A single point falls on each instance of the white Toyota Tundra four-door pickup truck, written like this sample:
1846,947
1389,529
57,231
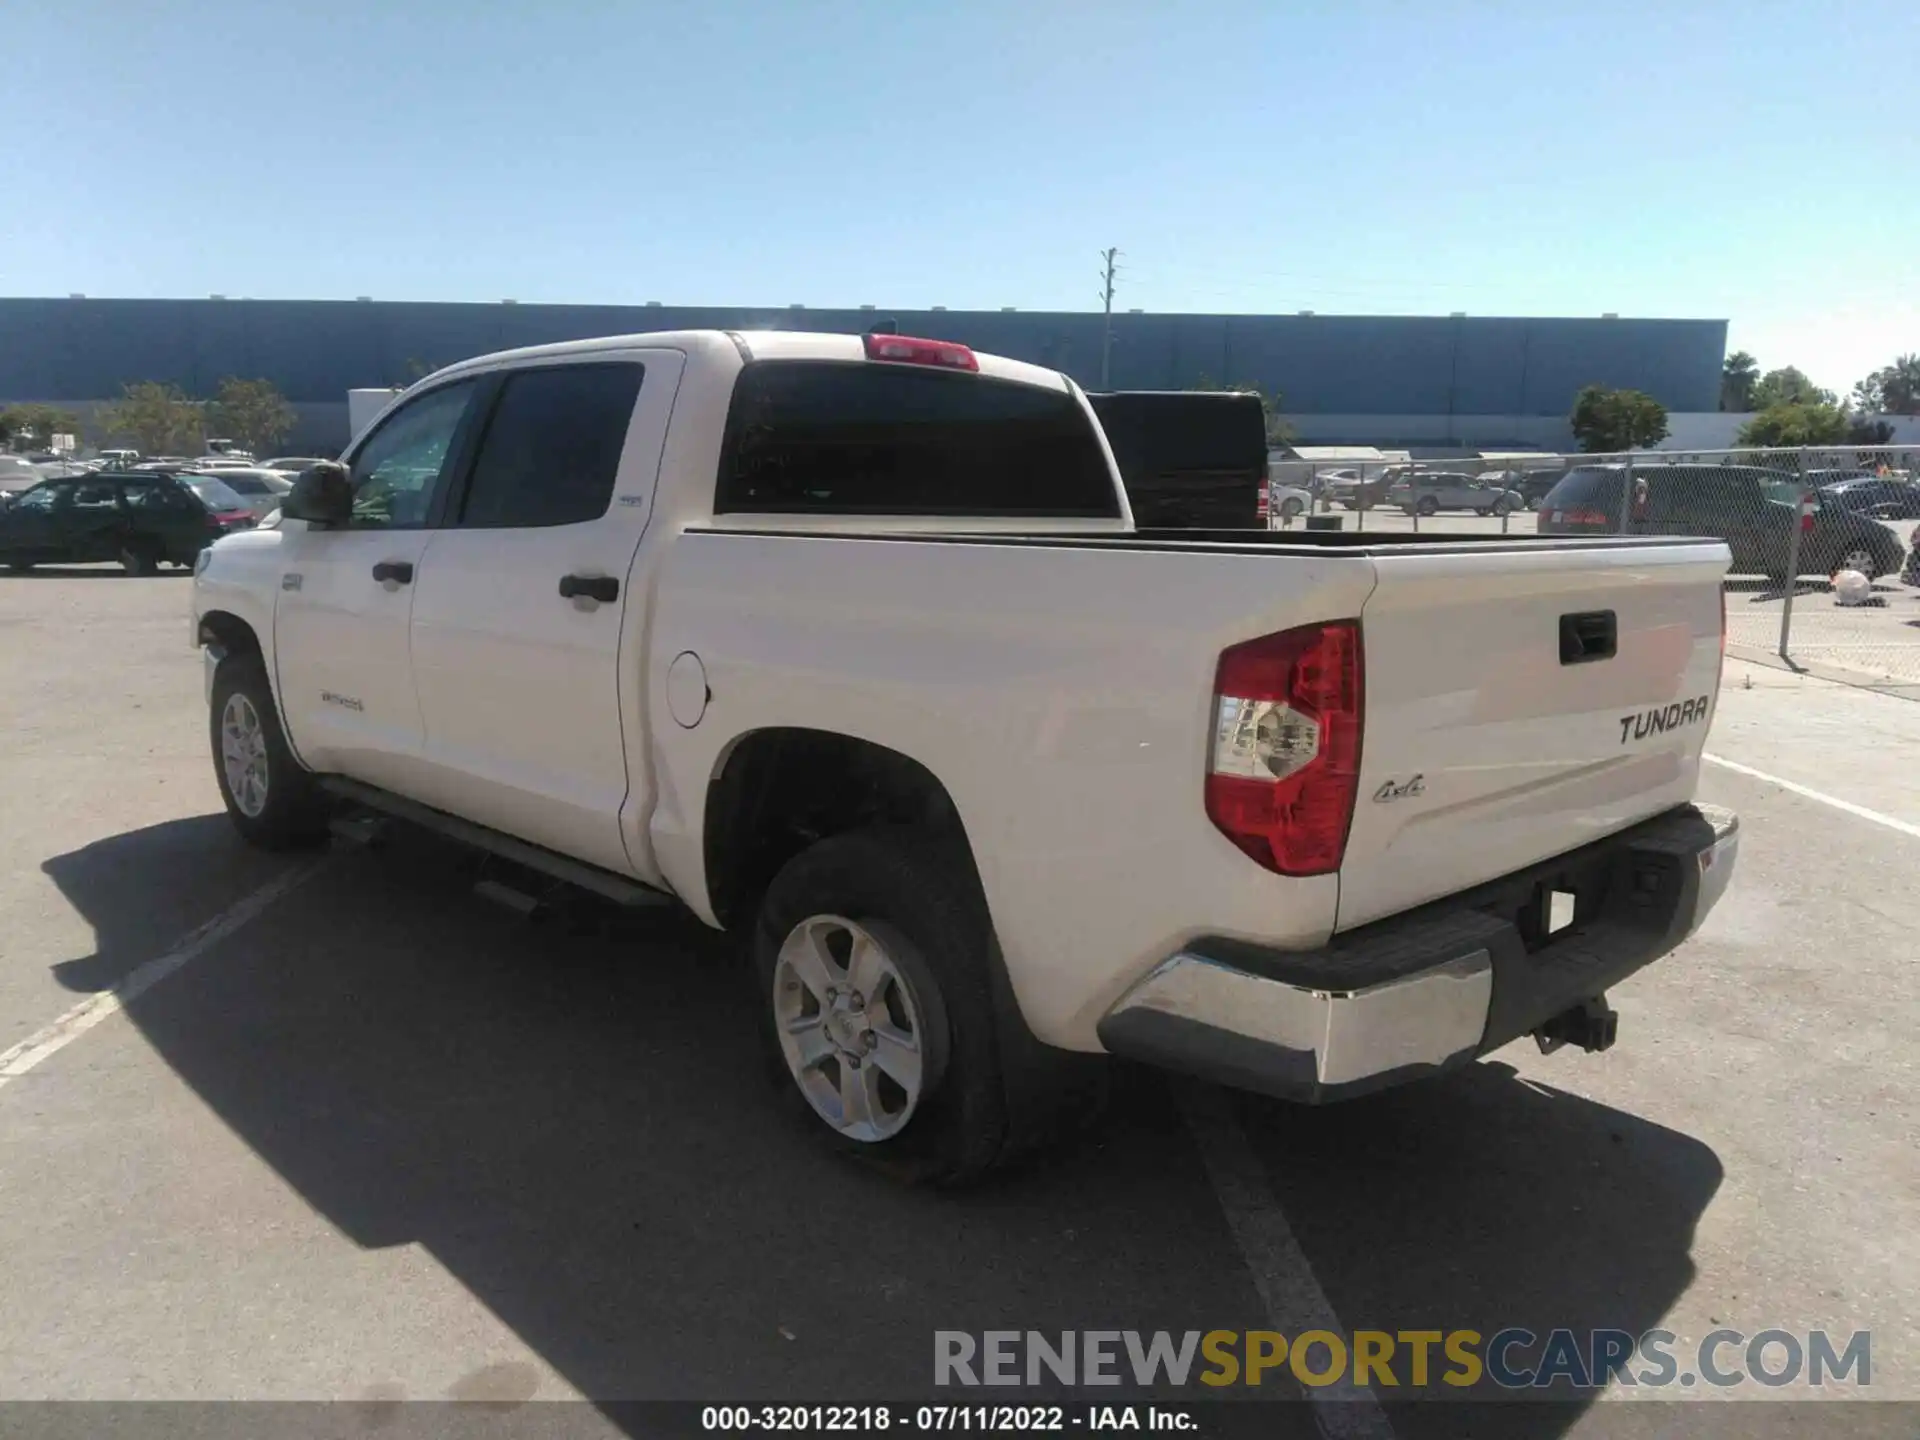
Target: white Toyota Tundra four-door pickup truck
850,644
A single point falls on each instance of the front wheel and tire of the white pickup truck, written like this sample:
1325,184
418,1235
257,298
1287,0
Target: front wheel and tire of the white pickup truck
270,798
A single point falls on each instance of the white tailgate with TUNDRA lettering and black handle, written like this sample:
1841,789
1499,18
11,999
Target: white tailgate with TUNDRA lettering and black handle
1524,704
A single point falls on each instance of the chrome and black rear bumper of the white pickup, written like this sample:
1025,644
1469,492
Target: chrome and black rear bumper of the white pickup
1431,990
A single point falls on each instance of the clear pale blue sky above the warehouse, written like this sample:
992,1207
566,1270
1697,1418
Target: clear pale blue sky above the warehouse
1704,160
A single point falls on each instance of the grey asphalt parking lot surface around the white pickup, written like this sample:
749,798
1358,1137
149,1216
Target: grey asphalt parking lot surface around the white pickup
373,1140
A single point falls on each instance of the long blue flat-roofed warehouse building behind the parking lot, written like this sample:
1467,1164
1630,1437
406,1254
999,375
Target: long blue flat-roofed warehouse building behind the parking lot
1345,379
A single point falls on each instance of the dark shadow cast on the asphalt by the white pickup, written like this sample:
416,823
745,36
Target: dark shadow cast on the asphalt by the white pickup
579,1128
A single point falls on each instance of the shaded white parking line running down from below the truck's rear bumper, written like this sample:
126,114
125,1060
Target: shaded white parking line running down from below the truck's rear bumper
1284,1278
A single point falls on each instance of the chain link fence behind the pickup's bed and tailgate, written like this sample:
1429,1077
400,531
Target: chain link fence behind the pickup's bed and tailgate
1823,539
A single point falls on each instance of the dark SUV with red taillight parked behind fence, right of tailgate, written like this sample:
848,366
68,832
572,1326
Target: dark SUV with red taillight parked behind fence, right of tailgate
1752,510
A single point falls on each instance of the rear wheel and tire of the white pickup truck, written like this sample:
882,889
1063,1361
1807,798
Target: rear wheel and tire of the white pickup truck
942,1118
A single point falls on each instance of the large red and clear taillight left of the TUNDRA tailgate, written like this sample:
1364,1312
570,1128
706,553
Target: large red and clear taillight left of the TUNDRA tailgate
1285,763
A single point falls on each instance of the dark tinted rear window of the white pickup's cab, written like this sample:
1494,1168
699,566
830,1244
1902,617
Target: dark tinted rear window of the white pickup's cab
819,437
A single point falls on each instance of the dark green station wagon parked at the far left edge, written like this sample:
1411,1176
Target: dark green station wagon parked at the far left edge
143,521
